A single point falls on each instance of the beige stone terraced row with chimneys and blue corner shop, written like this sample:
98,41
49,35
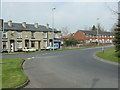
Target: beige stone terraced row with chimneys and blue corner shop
17,36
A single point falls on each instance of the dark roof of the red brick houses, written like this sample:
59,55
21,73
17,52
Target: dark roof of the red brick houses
95,32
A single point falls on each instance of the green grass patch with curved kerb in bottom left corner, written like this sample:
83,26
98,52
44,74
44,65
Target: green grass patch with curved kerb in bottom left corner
12,74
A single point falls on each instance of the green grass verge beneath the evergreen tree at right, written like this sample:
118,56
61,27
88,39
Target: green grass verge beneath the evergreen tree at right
108,55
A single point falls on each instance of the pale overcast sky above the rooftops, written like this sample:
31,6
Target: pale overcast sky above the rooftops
74,15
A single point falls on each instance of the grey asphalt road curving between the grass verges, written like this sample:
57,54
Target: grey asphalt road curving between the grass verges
69,69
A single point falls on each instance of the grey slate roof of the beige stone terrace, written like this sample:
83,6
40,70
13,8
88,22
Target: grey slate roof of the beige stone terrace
29,27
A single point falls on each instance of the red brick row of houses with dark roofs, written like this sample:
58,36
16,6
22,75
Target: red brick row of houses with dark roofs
85,36
